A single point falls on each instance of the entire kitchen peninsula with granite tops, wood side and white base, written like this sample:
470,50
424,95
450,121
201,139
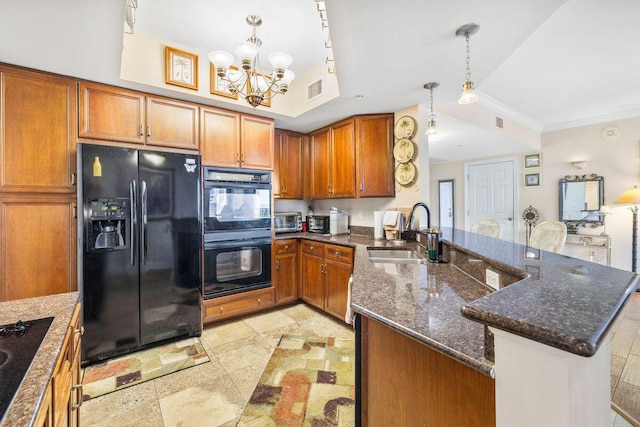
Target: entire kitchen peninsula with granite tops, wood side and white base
427,331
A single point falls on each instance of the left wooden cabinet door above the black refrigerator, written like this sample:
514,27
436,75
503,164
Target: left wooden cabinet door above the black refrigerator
112,114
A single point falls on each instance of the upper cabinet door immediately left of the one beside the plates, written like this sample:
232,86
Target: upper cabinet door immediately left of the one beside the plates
343,174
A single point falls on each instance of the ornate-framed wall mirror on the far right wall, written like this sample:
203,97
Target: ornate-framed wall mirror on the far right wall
580,198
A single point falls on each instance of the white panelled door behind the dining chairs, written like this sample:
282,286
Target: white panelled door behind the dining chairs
491,192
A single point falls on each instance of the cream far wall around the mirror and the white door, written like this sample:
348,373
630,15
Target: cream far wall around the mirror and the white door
616,160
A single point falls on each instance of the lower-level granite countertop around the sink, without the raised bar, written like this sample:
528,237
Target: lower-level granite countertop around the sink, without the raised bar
422,301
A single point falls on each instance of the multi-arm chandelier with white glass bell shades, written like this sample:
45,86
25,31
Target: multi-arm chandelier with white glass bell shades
250,82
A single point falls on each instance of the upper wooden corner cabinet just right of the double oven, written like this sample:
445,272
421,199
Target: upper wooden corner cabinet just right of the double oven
287,172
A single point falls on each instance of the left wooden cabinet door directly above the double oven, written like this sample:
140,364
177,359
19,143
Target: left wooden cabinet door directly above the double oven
220,137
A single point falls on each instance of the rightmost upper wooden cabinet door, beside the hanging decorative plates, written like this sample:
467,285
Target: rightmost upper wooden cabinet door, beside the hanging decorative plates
374,156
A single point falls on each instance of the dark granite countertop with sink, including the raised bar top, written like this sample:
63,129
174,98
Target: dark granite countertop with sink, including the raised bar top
556,300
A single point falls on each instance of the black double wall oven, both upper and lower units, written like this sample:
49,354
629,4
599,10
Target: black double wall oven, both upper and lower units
237,230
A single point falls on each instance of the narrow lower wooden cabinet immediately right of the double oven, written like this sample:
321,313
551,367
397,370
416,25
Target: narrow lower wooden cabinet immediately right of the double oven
285,272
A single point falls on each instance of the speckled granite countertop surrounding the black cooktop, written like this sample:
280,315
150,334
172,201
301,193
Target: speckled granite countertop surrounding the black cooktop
23,408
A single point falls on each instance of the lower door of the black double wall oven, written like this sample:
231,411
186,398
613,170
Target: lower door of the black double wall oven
236,266
